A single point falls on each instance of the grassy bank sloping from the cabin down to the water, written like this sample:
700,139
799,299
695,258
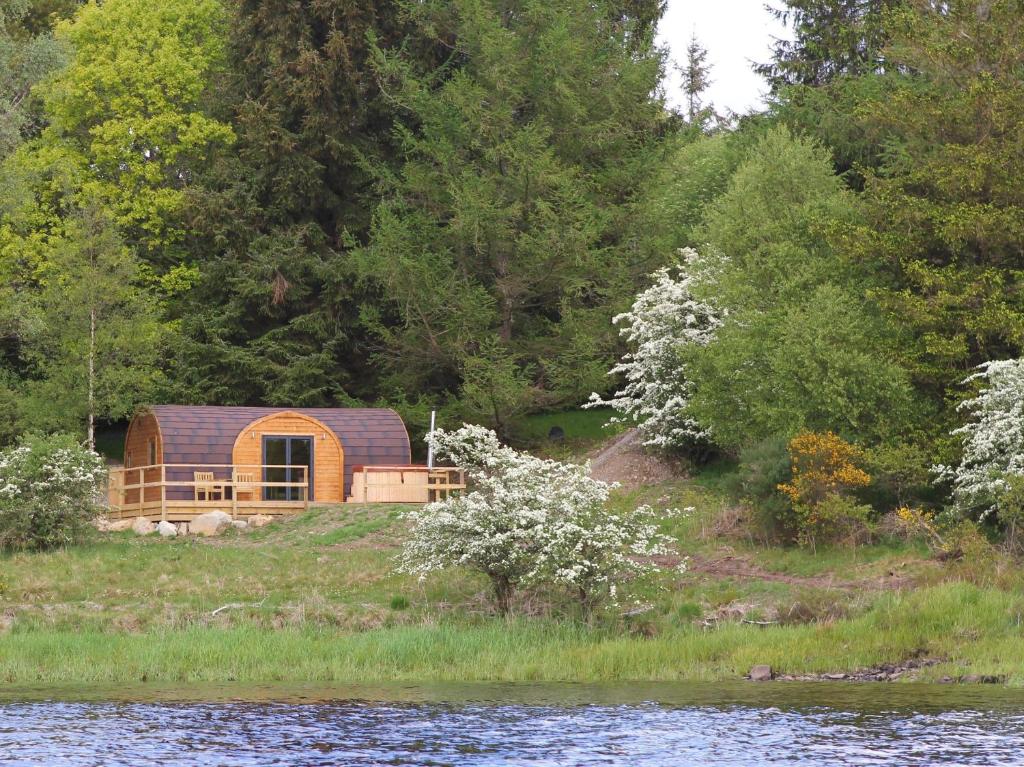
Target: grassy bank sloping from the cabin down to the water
316,599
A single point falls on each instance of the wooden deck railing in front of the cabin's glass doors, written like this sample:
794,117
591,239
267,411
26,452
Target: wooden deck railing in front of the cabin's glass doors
165,489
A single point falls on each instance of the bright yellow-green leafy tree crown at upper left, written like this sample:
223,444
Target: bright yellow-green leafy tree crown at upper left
126,122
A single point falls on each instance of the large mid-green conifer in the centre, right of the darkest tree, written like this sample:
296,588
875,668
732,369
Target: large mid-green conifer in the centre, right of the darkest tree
503,235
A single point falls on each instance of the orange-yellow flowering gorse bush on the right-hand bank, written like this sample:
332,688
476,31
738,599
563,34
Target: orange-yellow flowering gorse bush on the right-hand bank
823,465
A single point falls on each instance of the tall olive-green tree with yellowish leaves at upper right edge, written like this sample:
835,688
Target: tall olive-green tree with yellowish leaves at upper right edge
944,208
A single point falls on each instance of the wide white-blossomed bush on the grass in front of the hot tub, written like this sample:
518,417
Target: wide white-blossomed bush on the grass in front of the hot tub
528,522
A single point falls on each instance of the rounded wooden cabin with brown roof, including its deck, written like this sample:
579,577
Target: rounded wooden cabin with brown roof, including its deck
182,461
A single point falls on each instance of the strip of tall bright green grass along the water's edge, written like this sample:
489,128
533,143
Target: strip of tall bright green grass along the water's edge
973,630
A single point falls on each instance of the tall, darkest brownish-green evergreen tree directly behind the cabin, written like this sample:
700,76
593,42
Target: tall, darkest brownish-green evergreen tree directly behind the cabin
276,315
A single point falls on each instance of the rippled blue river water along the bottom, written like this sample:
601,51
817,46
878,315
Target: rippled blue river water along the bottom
634,726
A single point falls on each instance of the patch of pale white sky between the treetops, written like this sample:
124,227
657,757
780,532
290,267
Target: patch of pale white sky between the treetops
736,33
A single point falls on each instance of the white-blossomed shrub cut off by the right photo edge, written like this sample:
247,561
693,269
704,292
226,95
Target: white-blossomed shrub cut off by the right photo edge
993,440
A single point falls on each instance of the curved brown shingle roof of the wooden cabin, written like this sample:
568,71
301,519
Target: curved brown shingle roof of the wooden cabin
206,434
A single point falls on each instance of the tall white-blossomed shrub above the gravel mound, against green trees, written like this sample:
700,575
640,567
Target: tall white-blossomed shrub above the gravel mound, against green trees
663,321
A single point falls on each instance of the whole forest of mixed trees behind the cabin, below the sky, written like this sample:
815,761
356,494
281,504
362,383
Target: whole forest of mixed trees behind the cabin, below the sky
447,204
